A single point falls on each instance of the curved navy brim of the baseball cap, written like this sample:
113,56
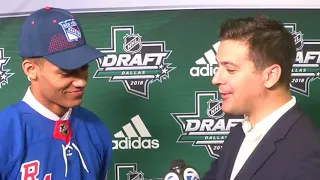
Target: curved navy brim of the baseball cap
74,58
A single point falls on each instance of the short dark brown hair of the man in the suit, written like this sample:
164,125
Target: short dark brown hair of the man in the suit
268,40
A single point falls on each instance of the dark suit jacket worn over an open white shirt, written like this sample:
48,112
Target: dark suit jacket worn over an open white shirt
289,151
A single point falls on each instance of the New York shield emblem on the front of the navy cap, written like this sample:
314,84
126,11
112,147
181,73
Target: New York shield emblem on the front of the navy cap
71,30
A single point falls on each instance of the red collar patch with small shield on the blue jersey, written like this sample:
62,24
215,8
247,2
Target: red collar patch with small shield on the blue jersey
62,131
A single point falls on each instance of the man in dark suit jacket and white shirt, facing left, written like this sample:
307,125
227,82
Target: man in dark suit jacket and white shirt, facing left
276,141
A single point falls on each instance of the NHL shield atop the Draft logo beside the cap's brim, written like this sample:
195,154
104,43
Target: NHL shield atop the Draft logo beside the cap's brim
132,43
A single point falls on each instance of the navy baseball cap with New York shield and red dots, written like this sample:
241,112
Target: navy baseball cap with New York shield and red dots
56,35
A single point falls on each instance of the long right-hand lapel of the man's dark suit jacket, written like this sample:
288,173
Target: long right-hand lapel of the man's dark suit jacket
267,146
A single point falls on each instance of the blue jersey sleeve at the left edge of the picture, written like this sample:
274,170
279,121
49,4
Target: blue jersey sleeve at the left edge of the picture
11,142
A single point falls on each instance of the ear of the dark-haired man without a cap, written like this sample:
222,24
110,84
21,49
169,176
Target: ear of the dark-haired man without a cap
272,75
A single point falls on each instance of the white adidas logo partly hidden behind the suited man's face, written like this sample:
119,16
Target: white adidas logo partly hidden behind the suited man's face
206,66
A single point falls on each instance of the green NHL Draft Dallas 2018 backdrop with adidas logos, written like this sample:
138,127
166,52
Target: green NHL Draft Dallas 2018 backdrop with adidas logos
153,88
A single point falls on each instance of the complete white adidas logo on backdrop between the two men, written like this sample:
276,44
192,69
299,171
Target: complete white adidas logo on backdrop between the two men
131,139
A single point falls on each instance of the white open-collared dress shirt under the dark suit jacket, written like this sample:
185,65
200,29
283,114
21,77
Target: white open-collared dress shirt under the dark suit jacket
253,136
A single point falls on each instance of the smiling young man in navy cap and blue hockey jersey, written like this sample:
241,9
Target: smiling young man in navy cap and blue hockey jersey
47,135
